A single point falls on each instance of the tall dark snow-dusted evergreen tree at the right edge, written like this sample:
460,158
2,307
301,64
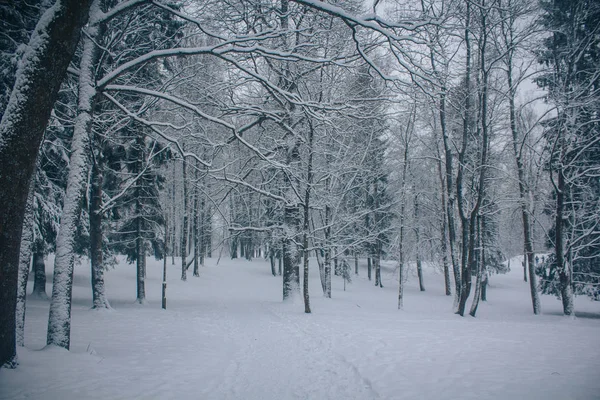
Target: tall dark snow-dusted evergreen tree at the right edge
572,80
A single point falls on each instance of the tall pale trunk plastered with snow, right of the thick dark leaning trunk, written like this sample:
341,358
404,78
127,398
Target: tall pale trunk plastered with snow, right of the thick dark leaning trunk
59,320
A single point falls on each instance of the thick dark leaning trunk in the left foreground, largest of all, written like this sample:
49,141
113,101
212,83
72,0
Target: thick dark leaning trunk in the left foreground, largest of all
43,68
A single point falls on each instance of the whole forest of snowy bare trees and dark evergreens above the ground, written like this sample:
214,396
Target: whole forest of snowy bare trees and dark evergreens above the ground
446,134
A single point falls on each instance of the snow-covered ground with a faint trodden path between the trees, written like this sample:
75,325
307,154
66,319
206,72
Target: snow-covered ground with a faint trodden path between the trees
227,335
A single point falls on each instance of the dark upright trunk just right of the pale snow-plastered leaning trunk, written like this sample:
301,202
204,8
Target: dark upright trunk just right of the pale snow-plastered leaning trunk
99,300
